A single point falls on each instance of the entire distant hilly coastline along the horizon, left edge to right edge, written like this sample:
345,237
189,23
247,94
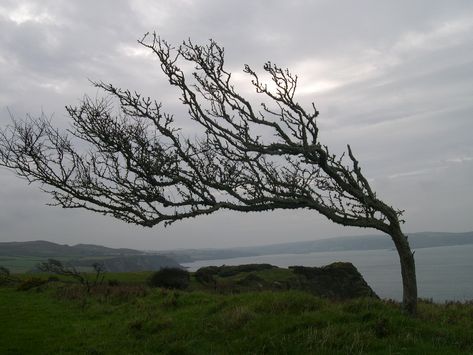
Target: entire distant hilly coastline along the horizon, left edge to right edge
135,260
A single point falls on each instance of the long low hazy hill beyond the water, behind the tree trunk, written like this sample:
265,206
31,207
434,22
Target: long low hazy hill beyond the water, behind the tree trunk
366,242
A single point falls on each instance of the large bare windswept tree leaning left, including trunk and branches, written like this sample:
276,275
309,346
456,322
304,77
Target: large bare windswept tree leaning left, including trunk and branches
136,165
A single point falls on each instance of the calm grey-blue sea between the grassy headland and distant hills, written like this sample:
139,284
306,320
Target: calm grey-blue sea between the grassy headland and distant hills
443,273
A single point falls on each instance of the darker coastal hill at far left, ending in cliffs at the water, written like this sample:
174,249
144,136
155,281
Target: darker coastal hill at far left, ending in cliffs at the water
24,256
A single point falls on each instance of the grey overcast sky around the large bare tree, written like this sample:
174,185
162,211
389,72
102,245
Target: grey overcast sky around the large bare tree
392,78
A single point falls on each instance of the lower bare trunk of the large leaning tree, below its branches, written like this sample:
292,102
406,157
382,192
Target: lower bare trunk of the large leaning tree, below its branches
408,271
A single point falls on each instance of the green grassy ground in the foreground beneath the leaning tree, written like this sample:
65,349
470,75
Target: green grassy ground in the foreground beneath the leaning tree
131,318
